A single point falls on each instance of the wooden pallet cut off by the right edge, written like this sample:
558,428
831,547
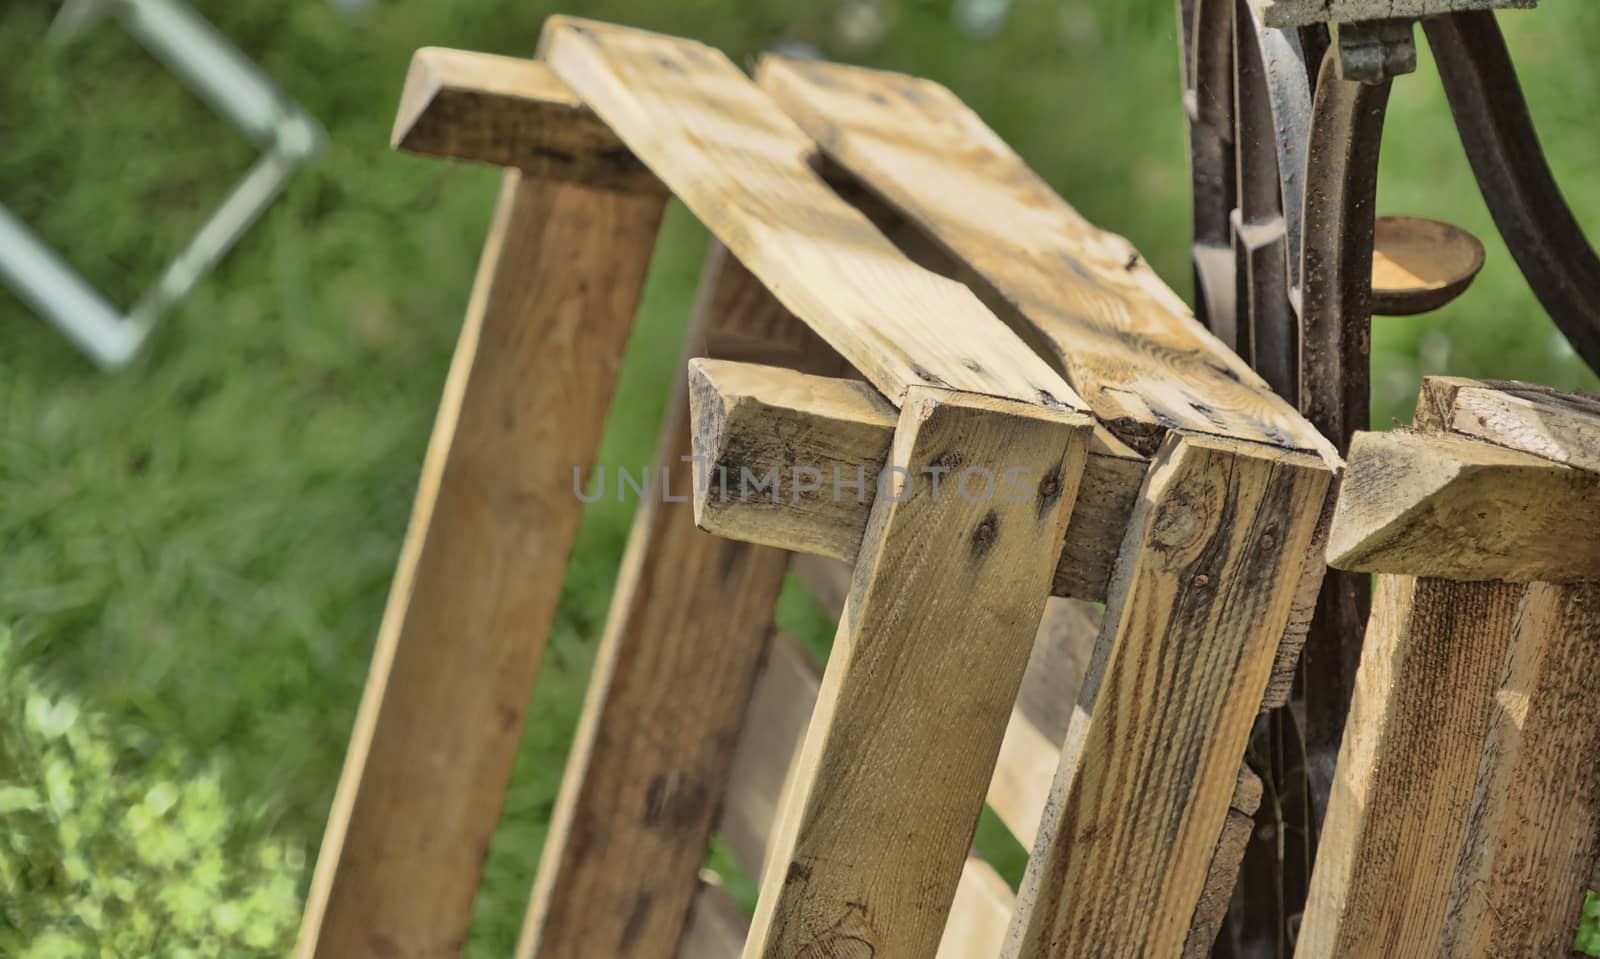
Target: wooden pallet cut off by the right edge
1466,811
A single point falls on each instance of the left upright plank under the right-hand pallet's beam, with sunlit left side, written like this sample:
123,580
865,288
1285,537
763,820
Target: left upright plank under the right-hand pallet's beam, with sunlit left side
1434,657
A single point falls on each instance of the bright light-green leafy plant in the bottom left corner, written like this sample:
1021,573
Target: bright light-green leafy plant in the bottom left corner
114,846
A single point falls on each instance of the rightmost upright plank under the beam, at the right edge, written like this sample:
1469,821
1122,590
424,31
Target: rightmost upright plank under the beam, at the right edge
1534,829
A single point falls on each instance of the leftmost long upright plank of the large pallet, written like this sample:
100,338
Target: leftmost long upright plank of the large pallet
481,572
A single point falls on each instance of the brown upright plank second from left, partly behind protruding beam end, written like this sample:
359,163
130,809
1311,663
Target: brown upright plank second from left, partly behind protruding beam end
671,684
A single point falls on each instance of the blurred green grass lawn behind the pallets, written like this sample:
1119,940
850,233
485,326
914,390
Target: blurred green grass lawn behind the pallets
198,550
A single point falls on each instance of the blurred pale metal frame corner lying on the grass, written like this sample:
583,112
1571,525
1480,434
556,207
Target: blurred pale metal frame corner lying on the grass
242,94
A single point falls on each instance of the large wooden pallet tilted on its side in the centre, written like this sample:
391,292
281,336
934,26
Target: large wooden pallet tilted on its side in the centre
865,223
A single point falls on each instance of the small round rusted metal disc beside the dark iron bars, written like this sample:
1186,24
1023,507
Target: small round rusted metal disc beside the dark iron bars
1422,265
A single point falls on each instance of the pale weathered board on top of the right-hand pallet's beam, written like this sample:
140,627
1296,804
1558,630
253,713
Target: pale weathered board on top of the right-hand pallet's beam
1538,420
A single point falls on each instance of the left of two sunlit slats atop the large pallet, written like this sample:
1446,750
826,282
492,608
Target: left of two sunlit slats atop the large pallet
735,161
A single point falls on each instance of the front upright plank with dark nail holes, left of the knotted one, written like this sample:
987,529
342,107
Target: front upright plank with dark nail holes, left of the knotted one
942,616
